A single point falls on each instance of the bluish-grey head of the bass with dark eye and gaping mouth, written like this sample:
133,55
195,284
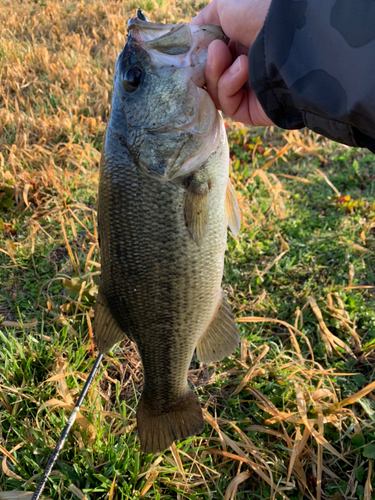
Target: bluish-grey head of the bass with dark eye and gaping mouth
171,123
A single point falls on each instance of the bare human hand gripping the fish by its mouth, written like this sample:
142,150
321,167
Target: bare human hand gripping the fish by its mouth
227,66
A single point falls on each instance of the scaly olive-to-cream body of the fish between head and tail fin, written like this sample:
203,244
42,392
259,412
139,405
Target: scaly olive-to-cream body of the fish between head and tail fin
168,285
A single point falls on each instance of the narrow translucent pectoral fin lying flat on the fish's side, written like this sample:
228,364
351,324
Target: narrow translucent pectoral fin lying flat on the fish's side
196,210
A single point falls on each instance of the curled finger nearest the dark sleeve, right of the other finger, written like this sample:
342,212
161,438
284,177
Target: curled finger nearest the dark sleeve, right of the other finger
232,97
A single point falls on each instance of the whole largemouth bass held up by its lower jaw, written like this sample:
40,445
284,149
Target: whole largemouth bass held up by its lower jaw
165,202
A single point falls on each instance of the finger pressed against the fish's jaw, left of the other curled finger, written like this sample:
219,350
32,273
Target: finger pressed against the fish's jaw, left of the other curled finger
219,59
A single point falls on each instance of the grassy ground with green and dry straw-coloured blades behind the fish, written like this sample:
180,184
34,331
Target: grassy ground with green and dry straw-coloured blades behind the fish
292,414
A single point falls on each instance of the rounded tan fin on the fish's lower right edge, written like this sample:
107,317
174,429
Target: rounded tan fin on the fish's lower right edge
221,337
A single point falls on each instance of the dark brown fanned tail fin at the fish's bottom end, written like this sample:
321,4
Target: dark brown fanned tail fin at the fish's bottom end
159,429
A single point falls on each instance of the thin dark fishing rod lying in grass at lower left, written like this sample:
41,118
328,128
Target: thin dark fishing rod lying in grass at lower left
60,443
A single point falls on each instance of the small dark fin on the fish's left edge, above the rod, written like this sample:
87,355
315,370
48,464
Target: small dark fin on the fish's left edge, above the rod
107,331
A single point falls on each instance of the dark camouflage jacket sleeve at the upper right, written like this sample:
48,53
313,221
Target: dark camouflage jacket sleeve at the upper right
313,65
